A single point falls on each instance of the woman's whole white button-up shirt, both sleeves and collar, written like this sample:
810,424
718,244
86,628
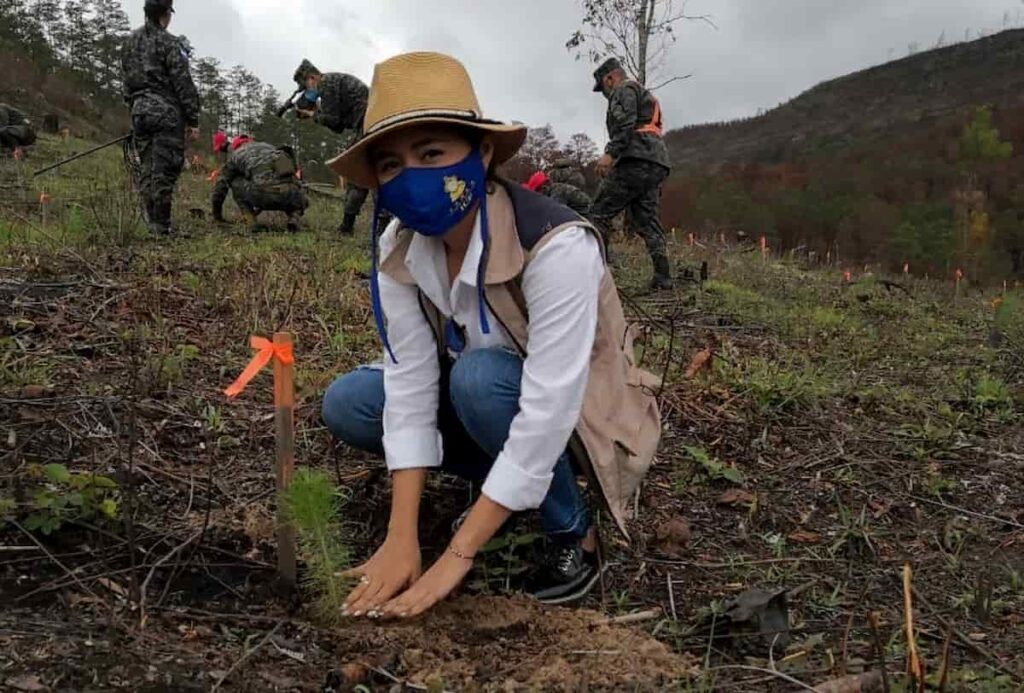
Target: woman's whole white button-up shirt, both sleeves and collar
561,286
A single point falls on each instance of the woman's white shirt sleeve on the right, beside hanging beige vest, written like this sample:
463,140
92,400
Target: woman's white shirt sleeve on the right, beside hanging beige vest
562,286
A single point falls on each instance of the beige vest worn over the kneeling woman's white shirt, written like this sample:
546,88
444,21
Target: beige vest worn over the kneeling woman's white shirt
620,425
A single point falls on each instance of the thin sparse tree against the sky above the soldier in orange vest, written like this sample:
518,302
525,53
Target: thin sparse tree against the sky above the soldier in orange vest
639,32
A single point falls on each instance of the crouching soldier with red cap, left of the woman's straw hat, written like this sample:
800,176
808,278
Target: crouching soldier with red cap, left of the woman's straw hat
263,179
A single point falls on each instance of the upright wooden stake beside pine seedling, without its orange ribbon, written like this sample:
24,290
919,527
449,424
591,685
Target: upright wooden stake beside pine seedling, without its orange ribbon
284,402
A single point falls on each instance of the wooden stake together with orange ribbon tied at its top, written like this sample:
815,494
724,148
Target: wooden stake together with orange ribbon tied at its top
281,353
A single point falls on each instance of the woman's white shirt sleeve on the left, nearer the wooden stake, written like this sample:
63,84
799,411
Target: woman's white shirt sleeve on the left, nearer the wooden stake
412,386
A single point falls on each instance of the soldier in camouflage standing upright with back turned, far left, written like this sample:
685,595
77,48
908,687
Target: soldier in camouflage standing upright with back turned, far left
164,103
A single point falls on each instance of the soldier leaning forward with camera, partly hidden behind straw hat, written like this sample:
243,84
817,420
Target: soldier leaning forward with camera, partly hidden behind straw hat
342,108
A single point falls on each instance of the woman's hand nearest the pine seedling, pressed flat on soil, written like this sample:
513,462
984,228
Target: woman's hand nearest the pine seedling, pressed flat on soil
396,566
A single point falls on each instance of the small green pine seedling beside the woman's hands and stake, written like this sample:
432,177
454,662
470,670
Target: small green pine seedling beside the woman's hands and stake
313,505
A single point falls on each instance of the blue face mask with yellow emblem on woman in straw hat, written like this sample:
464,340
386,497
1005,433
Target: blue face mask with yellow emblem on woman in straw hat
433,201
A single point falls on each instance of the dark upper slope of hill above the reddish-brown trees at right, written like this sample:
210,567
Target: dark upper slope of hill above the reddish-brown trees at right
886,101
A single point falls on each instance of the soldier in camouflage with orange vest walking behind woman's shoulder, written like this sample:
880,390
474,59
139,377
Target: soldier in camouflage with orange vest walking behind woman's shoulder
634,166
